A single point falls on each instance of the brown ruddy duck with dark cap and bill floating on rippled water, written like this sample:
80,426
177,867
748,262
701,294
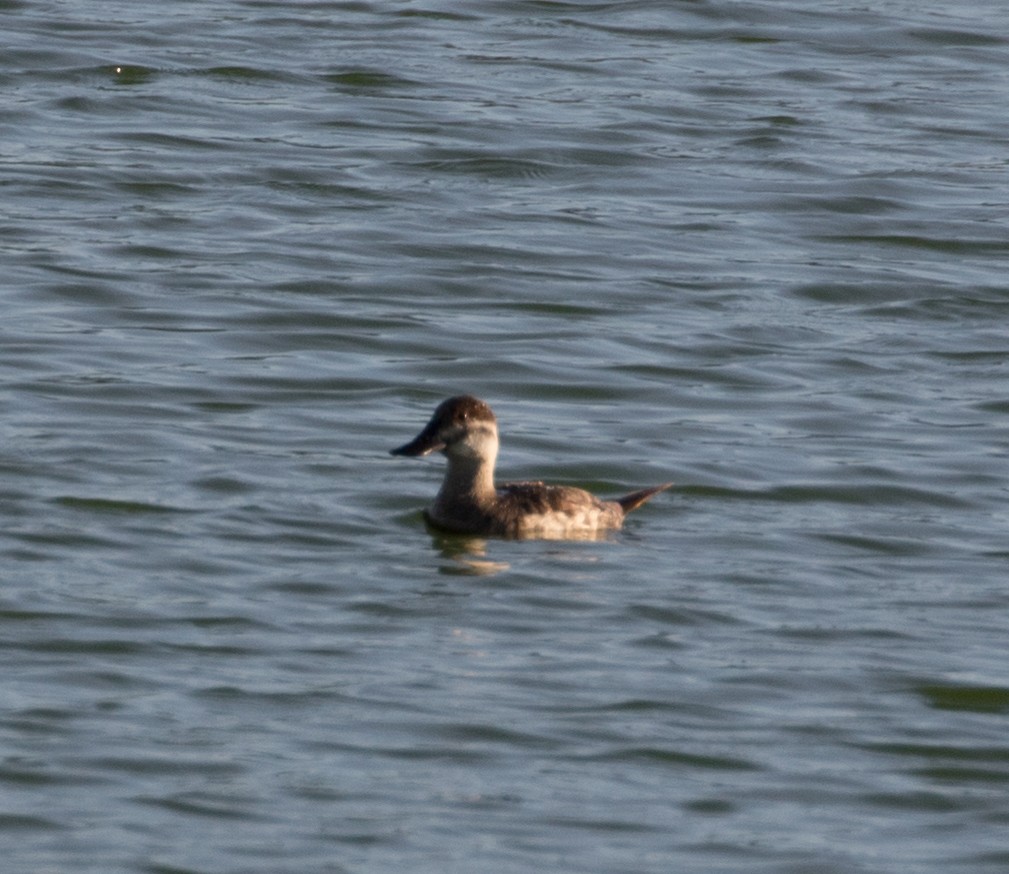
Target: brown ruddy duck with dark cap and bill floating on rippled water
466,431
